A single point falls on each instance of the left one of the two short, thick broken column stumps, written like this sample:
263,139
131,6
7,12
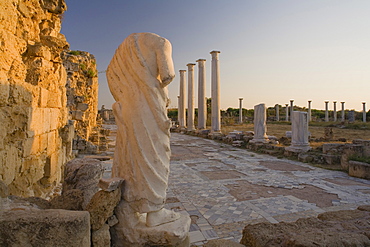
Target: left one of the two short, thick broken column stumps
259,124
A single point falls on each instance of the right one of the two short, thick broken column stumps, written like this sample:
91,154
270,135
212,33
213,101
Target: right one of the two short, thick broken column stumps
299,132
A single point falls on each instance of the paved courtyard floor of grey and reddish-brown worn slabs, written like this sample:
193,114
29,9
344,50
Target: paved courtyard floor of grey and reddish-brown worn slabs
224,188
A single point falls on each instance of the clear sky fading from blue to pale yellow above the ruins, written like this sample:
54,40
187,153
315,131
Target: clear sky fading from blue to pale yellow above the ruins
271,51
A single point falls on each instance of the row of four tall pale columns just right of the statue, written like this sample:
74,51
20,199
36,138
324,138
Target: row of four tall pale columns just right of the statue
202,107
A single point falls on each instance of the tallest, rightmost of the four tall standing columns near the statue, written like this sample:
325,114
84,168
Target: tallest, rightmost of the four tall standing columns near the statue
215,88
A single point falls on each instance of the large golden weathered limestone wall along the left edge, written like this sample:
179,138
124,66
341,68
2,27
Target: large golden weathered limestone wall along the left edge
34,138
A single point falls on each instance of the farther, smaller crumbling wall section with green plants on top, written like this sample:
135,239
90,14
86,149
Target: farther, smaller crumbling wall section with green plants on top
82,90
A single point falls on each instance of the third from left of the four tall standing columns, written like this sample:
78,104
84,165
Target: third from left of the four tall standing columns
202,104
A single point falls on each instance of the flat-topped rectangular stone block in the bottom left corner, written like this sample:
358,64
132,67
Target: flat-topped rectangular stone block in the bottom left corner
51,227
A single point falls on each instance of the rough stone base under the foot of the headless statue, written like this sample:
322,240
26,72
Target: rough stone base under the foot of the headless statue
133,231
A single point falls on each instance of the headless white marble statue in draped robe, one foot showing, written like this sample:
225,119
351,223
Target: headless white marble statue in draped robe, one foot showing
138,75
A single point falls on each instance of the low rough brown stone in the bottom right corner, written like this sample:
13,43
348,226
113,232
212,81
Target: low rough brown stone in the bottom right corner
340,228
